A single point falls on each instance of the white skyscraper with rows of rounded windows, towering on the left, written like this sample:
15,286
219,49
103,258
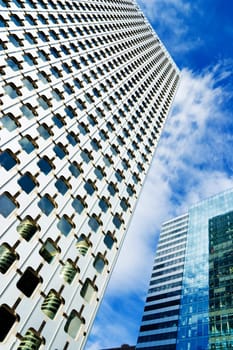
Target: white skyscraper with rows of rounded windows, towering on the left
85,90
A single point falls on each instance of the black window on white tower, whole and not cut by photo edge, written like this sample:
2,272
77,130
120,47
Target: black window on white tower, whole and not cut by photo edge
28,282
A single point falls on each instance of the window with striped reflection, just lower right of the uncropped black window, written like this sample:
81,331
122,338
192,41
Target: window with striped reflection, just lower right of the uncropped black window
51,304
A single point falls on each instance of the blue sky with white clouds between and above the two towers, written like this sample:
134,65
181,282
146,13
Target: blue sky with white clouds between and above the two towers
193,160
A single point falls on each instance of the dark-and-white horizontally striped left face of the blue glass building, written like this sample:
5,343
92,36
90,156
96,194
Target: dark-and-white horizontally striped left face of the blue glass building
161,312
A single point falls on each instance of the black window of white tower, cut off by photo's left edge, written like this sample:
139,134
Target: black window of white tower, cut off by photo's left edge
8,318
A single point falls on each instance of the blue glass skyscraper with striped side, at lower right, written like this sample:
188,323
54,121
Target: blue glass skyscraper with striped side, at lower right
189,303
